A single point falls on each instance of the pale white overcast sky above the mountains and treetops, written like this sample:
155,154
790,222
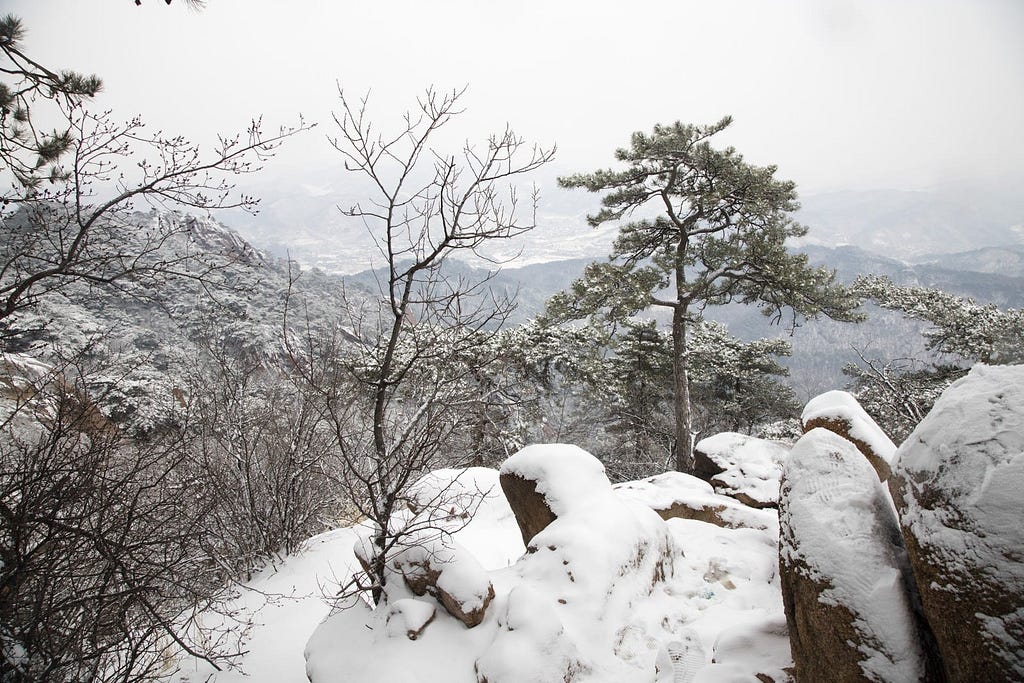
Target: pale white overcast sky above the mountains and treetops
839,95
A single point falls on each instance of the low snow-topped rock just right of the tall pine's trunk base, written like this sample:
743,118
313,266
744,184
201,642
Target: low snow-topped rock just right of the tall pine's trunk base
745,467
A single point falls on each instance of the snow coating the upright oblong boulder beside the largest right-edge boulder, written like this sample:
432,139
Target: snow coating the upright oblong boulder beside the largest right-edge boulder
838,523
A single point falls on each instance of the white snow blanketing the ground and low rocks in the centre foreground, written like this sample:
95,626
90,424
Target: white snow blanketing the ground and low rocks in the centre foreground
608,590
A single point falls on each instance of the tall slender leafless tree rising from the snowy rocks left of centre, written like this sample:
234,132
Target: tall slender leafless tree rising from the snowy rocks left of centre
400,395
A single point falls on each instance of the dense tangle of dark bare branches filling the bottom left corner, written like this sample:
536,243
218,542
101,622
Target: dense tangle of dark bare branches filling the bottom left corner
103,574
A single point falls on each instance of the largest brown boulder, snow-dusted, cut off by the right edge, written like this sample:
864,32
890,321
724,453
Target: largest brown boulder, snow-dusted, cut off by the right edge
958,483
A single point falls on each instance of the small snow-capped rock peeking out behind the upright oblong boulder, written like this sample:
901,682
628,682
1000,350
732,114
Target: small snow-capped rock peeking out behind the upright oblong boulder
840,413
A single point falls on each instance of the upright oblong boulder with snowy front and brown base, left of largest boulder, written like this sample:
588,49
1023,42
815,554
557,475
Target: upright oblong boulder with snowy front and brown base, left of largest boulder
844,573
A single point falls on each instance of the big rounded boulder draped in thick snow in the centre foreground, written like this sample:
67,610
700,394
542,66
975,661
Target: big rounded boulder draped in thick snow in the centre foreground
588,581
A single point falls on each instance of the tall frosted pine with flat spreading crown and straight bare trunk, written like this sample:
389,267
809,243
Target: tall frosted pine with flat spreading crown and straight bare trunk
700,227
